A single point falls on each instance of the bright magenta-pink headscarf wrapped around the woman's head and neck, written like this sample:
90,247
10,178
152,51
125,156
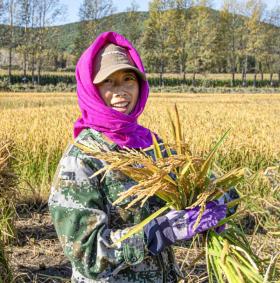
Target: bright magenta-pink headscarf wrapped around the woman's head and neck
121,128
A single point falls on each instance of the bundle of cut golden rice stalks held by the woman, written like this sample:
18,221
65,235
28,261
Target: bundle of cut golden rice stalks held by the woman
185,181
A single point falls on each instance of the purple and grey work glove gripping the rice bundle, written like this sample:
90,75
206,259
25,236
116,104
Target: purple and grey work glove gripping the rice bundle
178,225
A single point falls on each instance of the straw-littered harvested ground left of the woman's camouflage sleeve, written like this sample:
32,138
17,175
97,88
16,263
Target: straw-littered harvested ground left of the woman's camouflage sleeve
36,255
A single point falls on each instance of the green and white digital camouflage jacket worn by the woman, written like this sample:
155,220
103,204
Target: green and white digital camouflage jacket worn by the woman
87,223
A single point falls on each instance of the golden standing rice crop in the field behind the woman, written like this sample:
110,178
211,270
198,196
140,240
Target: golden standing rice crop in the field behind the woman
41,126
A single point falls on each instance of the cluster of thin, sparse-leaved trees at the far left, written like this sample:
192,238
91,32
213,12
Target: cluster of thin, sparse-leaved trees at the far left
25,33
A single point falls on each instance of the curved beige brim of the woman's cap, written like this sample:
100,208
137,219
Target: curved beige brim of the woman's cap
105,73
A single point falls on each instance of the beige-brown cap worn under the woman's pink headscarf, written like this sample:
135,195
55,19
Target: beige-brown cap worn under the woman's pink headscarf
110,59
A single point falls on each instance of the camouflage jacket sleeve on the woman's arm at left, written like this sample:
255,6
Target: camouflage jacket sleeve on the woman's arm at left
80,216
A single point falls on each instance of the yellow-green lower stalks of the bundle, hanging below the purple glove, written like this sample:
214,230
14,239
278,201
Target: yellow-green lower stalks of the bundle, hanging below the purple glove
230,259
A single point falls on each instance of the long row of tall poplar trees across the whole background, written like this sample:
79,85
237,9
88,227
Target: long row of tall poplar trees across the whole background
178,36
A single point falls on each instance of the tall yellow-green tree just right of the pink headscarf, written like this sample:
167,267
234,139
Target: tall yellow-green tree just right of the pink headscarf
154,41
